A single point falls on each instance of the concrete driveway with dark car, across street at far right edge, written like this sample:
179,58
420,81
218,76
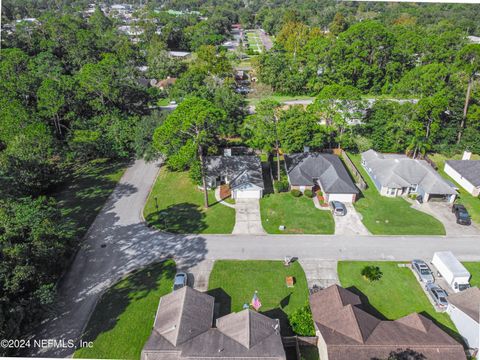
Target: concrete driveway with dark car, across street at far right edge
443,212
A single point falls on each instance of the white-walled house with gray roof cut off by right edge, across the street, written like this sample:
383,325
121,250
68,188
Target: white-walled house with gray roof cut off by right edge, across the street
466,173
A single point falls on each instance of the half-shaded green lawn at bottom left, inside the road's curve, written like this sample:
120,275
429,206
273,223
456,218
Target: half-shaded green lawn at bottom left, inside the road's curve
122,320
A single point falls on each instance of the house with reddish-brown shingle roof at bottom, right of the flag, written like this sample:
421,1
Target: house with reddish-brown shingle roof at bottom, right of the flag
345,331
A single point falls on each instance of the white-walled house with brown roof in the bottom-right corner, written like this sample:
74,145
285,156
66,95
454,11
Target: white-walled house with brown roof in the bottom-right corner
464,310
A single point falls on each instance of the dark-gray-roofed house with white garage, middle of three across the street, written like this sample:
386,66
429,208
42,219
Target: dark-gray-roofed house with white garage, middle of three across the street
326,171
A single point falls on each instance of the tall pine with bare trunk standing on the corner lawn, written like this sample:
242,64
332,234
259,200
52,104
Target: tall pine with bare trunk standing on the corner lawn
186,134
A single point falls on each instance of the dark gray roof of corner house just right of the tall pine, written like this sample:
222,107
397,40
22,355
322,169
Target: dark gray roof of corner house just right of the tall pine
241,169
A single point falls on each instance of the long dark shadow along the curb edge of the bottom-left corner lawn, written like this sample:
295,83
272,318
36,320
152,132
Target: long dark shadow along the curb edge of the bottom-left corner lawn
115,301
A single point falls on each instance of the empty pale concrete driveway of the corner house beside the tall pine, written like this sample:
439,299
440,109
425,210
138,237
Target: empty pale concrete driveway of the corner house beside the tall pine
247,217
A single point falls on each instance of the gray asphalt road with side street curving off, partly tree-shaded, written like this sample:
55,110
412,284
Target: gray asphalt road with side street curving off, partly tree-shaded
119,242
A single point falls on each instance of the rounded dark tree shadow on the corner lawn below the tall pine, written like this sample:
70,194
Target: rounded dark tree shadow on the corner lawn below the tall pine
183,218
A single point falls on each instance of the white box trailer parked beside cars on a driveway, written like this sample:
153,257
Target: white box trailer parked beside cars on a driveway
451,270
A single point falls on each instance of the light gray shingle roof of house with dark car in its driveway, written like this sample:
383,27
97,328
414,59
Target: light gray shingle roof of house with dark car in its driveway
397,171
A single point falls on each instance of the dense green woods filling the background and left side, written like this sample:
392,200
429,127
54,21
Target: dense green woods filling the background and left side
392,77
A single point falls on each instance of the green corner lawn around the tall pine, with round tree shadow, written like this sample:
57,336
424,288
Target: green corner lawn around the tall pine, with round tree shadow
180,207
